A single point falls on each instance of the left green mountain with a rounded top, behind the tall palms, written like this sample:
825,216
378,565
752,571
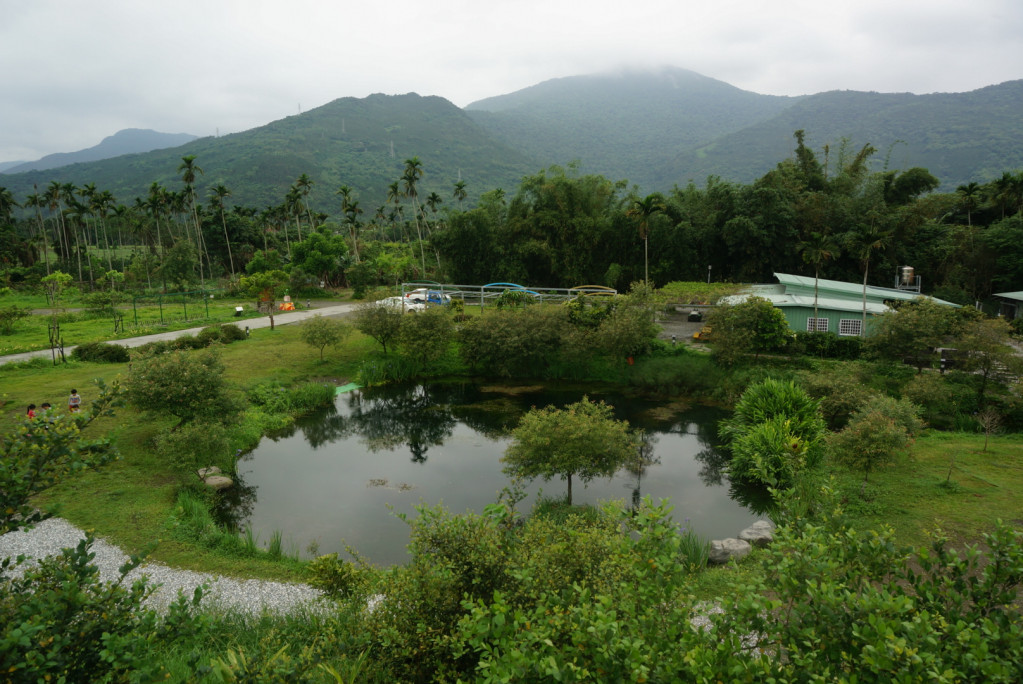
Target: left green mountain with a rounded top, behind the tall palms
361,143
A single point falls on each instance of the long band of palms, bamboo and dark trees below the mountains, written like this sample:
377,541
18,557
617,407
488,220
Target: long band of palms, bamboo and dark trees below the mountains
826,213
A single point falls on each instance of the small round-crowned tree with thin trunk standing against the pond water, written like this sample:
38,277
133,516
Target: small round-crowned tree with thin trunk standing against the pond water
583,440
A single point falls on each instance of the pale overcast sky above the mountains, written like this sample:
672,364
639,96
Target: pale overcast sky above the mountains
75,71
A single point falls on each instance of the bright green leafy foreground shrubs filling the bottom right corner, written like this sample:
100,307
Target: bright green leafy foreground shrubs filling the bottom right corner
826,603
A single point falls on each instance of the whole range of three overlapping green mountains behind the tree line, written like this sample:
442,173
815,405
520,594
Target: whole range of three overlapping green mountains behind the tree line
655,129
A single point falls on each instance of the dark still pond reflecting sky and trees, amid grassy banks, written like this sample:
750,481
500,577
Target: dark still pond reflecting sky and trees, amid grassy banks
340,476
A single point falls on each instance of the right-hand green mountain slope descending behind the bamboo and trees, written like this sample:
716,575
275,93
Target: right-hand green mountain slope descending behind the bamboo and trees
959,138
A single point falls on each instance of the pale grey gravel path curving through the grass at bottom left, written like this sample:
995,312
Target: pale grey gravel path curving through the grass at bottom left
252,597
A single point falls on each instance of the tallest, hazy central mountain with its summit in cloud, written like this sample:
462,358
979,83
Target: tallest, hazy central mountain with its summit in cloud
629,125
